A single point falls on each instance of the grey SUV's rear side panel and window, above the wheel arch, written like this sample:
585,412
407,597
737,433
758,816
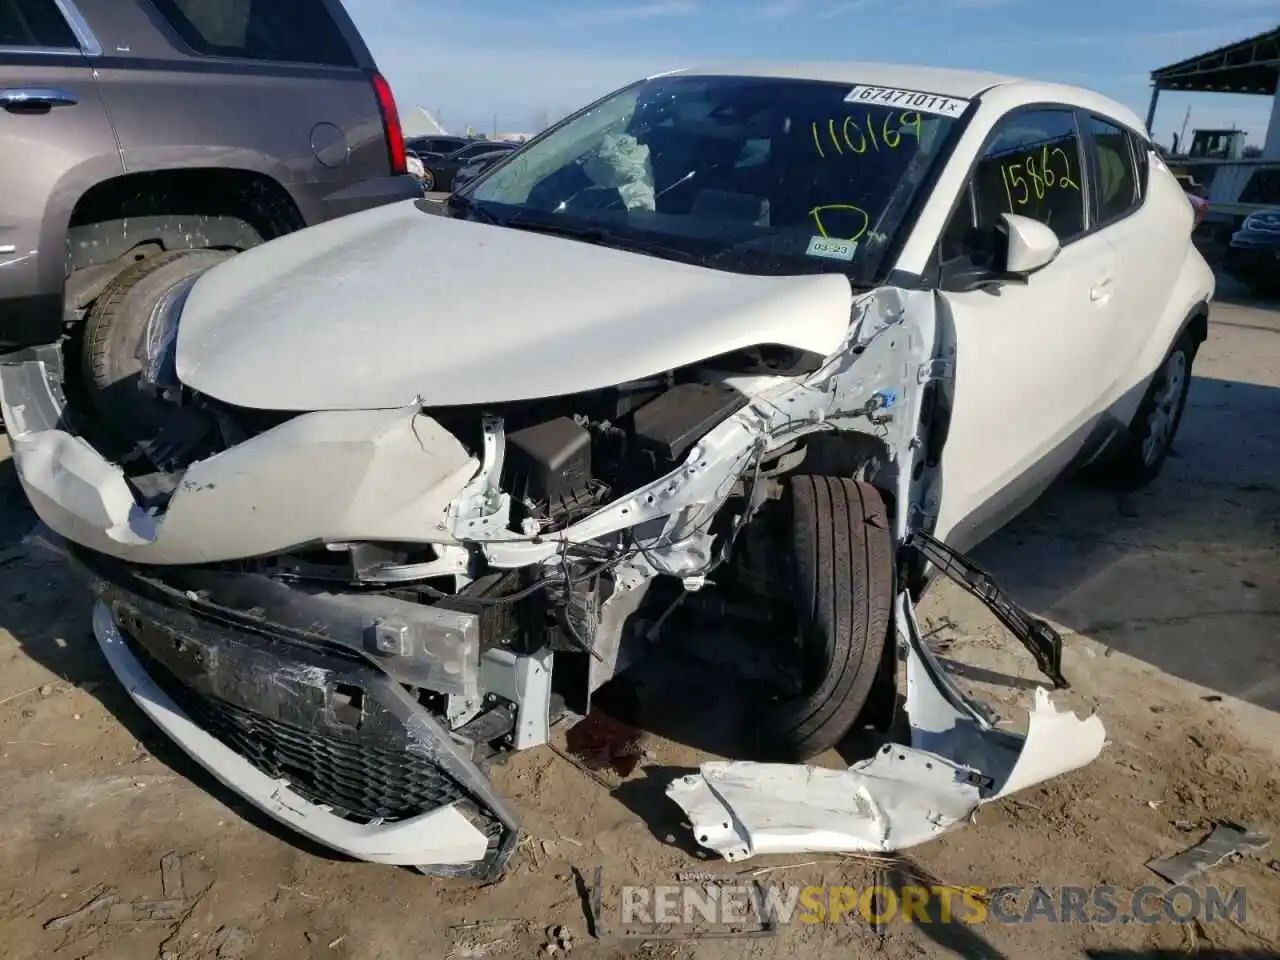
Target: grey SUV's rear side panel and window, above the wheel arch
282,88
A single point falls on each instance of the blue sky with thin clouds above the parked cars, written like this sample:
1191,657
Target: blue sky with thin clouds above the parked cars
531,60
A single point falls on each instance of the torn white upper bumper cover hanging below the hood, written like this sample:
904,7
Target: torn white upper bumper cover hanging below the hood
388,476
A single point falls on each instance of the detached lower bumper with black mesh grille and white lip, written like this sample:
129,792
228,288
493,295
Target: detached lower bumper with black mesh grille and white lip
321,740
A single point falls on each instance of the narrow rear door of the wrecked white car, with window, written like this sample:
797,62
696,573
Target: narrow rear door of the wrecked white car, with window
1149,241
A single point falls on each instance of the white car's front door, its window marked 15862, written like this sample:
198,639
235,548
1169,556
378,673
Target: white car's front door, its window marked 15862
1032,359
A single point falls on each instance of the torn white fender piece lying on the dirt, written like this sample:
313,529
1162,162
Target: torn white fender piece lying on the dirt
900,798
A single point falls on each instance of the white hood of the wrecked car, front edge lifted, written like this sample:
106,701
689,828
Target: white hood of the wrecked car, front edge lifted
395,307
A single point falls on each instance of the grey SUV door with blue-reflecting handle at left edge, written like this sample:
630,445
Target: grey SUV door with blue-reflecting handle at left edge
56,140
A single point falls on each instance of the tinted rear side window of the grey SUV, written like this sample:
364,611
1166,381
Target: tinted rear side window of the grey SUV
284,31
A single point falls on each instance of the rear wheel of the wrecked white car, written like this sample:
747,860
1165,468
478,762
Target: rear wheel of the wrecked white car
1151,435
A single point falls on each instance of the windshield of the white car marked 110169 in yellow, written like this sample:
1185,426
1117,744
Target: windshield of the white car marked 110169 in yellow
748,175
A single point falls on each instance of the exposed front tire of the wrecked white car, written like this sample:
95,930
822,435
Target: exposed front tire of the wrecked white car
842,552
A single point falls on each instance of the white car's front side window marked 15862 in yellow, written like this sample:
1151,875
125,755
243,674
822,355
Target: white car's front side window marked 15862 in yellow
1032,168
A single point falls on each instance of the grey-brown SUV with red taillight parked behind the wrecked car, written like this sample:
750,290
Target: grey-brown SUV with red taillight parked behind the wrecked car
144,141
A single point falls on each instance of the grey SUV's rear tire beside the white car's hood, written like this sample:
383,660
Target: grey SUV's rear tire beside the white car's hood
115,331
